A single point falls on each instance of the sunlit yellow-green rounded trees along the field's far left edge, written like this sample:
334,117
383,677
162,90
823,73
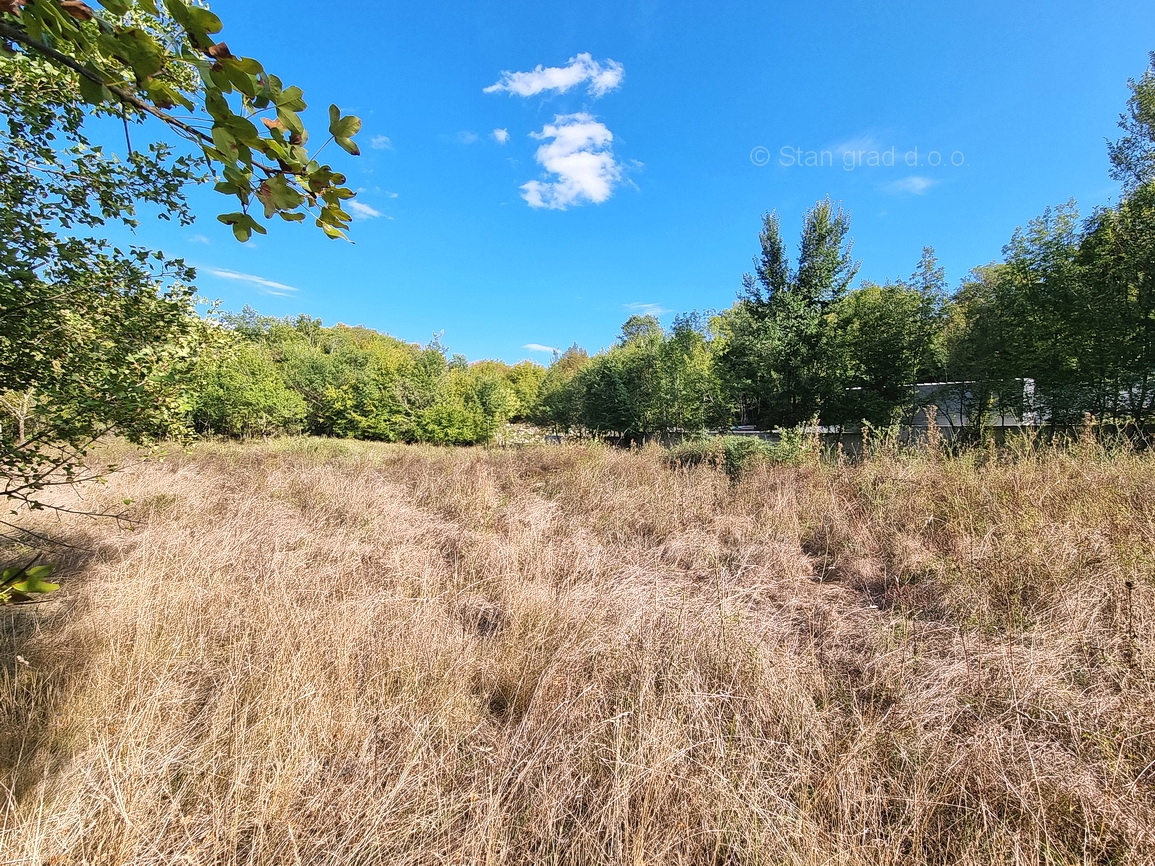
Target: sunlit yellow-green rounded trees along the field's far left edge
289,376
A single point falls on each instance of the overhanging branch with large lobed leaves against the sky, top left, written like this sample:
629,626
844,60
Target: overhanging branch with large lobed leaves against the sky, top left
141,58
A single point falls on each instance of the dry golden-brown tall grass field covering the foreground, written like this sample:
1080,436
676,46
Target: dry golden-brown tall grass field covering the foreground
330,653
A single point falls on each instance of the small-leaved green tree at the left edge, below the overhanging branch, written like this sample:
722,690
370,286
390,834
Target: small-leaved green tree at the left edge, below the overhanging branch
92,338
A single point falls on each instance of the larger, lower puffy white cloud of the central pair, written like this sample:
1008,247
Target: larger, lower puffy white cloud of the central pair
578,151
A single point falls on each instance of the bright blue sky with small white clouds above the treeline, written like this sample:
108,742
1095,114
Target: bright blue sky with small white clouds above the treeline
632,170
